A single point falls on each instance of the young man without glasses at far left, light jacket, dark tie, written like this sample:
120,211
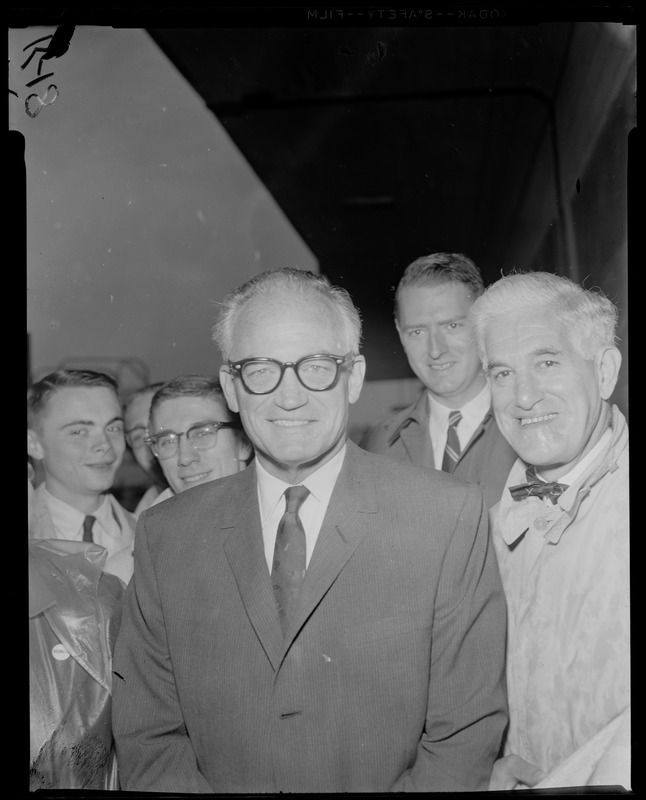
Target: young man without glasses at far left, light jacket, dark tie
76,433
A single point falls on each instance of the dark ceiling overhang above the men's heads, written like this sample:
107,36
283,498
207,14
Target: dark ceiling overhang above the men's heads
383,144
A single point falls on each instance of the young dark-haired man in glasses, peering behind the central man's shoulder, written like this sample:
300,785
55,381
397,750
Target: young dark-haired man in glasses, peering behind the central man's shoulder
193,435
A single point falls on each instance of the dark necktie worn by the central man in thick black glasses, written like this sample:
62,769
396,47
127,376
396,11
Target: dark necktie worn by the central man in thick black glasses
288,568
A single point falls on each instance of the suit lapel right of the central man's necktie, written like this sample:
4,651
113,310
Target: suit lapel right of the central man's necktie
346,523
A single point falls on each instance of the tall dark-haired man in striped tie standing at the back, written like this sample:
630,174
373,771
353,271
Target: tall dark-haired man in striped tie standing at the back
451,425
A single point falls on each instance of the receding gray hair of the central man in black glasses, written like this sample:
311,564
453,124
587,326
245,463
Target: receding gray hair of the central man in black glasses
296,282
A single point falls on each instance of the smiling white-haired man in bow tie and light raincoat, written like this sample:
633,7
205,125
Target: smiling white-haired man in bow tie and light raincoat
561,528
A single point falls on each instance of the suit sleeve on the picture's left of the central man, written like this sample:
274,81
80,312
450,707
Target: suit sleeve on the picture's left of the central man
154,751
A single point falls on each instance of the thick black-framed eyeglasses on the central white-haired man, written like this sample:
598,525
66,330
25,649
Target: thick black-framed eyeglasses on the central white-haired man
318,373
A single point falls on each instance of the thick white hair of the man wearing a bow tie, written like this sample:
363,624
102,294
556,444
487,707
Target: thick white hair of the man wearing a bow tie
588,315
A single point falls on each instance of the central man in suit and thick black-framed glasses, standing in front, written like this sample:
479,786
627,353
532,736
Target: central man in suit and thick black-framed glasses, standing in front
326,620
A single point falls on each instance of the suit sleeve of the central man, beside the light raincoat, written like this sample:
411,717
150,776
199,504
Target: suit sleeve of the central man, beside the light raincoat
467,700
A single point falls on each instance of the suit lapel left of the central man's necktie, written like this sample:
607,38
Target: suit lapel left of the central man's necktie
244,550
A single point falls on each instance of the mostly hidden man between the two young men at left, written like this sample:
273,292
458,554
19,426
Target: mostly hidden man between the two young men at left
136,411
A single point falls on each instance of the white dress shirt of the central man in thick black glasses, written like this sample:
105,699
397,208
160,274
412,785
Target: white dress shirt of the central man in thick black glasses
271,499
